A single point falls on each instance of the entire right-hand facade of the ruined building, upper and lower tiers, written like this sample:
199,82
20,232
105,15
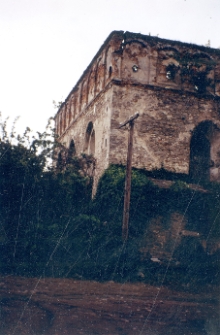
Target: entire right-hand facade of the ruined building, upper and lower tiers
173,87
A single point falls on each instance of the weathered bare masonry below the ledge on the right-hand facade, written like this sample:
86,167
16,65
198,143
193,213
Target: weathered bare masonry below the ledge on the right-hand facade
164,128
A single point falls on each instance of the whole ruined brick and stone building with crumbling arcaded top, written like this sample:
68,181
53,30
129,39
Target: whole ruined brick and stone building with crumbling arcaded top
174,86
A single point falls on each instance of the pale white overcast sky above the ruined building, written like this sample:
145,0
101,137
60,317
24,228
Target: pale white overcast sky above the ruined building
45,45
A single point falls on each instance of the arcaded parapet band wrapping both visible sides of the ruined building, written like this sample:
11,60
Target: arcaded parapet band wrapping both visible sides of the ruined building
139,59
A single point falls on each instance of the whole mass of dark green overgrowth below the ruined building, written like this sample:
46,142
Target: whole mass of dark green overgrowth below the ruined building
50,226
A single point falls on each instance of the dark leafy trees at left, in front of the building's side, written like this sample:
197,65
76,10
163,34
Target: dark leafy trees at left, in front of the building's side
38,202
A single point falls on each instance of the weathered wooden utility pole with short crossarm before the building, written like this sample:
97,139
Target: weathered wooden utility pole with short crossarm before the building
127,194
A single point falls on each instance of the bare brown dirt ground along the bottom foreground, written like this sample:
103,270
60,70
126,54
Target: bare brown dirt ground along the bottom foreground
65,306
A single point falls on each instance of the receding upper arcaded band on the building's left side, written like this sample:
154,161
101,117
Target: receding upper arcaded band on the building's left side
93,81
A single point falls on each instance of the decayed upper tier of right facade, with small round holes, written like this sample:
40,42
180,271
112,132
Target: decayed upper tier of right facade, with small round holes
188,65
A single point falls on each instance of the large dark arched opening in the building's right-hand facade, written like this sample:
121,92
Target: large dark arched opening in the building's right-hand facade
200,152
